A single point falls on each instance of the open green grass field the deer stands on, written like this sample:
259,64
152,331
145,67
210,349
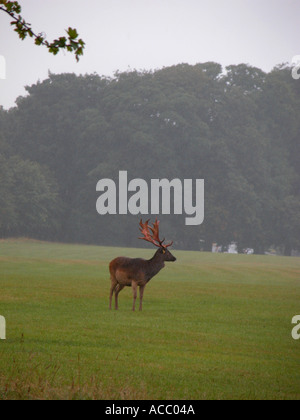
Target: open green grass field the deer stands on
213,326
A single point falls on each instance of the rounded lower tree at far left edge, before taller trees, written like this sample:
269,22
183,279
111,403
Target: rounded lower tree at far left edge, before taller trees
28,199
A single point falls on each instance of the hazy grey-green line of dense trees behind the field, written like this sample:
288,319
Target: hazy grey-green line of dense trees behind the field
237,128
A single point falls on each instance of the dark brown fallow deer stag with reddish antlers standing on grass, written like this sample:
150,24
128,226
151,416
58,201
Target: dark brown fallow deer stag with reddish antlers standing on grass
137,272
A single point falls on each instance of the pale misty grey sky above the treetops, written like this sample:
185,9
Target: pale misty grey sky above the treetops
148,34
